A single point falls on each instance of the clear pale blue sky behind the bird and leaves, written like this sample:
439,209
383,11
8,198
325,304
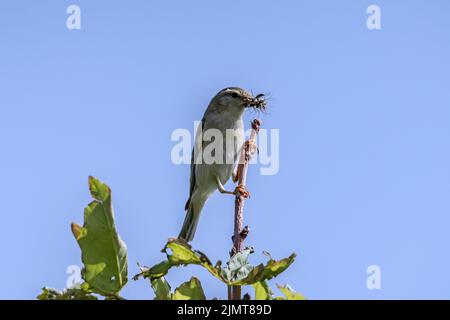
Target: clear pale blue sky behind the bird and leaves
363,116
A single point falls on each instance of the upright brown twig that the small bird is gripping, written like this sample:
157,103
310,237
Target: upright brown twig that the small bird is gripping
240,232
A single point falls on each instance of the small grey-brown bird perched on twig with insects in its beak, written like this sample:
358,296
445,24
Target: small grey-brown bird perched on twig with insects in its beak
224,113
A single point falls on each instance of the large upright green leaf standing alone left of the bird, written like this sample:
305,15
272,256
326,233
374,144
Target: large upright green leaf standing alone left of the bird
103,252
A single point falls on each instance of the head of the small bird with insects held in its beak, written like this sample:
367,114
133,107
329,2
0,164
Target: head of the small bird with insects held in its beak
234,99
